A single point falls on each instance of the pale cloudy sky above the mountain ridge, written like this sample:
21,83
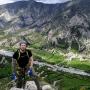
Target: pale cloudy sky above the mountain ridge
44,1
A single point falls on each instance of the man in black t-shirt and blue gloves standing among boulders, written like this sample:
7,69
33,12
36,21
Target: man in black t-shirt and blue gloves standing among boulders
22,63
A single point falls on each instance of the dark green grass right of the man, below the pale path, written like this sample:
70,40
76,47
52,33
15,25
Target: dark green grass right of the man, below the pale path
66,81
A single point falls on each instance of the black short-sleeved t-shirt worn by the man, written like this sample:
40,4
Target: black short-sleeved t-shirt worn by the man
23,59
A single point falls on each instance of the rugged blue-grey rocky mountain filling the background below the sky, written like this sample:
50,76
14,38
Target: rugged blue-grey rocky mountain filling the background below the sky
69,22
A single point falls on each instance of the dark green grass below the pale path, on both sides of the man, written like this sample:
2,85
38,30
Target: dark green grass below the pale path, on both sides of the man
64,81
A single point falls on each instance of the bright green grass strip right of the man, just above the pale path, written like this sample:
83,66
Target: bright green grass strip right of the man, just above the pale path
60,59
